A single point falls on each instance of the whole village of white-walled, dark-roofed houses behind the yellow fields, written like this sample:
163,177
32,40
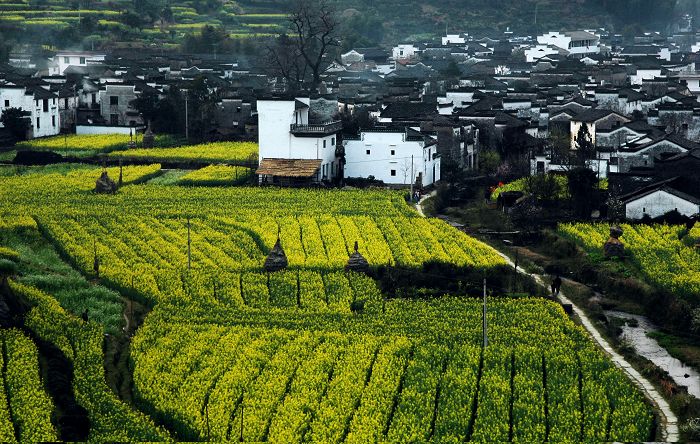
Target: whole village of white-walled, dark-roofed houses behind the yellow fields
404,115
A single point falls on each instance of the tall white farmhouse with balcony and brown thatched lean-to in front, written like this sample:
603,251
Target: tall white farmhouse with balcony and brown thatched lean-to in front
292,150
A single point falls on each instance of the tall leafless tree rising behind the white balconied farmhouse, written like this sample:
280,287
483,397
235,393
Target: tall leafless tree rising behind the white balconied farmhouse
314,30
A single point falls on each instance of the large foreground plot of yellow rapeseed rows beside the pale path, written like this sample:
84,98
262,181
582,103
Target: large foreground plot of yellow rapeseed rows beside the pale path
289,384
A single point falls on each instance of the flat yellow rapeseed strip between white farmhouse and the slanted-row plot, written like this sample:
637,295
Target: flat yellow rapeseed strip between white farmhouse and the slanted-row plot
64,194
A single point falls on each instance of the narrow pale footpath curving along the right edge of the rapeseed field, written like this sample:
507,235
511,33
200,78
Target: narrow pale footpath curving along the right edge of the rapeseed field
668,421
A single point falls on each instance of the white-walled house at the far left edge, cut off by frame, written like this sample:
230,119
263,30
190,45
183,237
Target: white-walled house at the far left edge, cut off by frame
39,102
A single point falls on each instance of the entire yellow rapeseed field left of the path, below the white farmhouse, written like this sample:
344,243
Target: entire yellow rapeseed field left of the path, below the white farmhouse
314,352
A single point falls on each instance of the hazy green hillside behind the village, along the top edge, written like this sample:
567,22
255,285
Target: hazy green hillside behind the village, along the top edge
157,23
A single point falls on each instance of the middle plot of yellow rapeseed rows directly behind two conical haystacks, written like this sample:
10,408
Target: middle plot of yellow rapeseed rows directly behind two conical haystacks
150,255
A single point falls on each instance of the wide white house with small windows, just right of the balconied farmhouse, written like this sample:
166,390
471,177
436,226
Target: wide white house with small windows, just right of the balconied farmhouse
394,156
